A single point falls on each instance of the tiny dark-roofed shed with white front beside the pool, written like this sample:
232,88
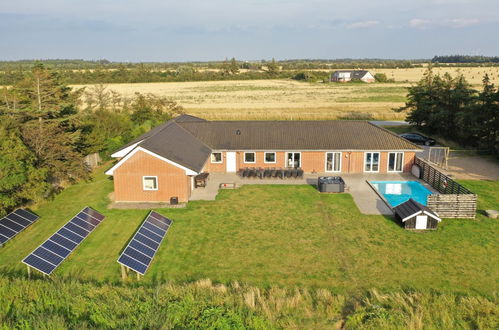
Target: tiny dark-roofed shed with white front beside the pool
415,215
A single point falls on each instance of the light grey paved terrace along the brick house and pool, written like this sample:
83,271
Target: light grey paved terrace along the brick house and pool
365,197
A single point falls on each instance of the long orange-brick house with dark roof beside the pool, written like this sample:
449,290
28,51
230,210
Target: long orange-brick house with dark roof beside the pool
163,162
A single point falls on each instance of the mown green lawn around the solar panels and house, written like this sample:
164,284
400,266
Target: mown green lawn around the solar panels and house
275,234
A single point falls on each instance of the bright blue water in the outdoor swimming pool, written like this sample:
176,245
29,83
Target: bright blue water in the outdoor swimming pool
397,192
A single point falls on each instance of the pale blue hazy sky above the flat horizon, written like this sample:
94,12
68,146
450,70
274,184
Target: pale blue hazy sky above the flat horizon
203,30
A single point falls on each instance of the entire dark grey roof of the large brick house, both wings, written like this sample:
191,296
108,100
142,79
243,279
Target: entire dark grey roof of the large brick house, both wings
188,140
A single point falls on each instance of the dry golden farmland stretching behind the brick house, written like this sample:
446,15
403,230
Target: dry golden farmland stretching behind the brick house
293,100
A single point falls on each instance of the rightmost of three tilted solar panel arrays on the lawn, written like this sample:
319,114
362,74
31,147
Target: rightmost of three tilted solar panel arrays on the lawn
145,243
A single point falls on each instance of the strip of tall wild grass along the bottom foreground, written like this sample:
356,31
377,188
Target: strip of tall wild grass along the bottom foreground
67,303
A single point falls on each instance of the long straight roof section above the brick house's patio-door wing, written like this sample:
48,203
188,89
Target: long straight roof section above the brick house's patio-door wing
296,135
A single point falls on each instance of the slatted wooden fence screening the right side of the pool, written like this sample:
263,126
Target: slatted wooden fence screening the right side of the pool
454,200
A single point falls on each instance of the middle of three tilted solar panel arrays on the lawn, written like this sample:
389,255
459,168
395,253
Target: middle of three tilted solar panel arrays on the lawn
48,256
